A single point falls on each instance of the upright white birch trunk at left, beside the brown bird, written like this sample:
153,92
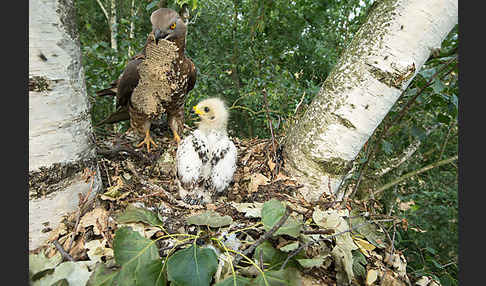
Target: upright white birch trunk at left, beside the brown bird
61,142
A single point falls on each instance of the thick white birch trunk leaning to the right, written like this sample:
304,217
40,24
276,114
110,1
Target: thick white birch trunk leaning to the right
384,56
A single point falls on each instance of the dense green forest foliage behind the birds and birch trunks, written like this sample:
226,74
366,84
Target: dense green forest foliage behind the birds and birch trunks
287,48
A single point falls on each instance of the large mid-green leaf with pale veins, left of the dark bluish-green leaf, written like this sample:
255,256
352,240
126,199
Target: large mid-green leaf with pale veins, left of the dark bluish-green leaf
134,253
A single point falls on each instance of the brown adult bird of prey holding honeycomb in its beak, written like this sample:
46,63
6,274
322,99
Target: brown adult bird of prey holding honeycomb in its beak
156,80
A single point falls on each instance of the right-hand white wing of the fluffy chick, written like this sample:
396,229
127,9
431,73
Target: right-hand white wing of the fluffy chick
223,163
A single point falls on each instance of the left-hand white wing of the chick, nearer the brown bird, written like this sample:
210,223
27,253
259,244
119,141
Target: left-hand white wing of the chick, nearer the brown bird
192,154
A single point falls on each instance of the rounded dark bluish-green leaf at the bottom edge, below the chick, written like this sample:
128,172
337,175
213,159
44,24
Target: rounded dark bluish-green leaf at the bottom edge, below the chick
192,266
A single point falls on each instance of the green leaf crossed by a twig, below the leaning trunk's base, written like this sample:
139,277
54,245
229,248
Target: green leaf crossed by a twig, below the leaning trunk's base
272,211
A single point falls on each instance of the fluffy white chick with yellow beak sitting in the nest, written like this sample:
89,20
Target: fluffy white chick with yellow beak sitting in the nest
206,158
